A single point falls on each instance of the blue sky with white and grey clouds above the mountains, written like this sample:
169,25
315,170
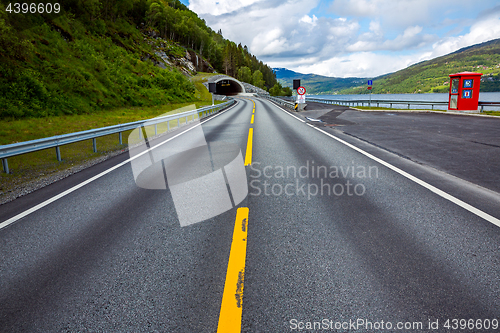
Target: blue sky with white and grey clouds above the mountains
346,38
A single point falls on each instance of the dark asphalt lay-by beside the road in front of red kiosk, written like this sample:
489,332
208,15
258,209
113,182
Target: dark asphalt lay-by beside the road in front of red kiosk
464,146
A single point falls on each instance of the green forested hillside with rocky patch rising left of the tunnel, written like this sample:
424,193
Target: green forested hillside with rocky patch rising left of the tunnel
96,55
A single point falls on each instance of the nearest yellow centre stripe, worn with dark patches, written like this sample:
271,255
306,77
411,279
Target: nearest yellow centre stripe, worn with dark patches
232,298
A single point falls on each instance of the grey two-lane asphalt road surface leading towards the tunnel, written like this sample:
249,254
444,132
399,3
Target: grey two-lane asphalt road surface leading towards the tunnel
374,246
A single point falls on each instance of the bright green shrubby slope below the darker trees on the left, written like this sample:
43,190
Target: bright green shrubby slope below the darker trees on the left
62,69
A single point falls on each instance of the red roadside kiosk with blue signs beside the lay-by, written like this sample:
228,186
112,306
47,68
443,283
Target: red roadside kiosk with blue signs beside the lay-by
464,91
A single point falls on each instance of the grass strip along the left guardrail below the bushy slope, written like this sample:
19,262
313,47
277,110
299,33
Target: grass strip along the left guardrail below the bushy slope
35,166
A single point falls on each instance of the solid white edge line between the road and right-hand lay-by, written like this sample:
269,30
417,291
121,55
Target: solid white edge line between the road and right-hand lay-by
428,186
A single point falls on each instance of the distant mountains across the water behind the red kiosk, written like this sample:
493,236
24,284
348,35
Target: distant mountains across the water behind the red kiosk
424,77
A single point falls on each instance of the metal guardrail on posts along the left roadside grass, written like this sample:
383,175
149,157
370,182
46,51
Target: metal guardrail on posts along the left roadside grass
60,140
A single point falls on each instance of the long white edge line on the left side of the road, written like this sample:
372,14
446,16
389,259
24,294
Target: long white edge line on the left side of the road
78,186
